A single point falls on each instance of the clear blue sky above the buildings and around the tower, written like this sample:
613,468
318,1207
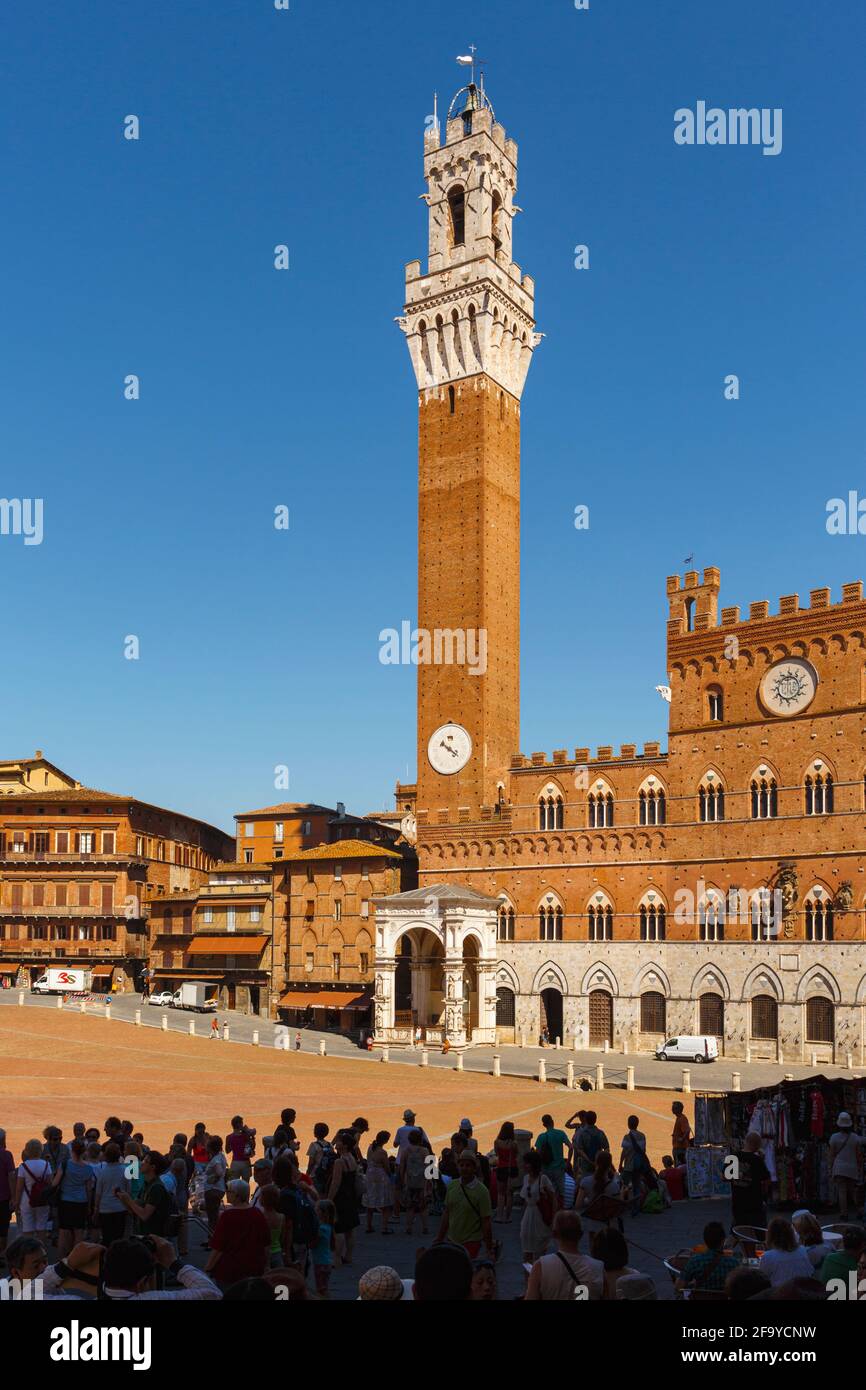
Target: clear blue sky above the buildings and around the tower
263,389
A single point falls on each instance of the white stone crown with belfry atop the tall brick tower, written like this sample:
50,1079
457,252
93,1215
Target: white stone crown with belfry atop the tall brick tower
473,312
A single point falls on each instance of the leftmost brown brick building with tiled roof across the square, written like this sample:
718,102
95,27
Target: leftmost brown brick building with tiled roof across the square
81,869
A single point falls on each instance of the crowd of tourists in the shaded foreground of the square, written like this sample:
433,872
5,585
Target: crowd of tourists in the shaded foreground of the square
105,1216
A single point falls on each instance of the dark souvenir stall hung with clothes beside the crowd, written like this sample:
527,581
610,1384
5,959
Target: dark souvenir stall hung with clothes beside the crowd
794,1121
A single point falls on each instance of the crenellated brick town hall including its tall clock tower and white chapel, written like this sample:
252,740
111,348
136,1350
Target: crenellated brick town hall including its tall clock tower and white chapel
714,888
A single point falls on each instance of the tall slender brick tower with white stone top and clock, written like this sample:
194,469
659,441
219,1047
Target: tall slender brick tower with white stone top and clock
471,329
